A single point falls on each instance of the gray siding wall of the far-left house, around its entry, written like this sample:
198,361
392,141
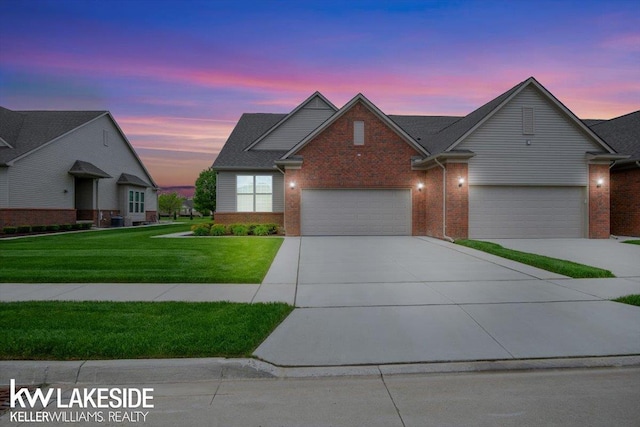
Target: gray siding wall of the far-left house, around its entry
40,179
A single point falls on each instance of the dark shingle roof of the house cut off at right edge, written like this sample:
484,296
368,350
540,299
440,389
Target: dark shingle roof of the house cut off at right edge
622,133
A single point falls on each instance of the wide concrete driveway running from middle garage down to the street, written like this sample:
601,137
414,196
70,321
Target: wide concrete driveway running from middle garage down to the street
383,300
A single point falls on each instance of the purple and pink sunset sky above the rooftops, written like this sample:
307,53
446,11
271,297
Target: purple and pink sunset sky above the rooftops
177,75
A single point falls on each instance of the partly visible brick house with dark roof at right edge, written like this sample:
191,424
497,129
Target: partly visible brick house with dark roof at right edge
623,134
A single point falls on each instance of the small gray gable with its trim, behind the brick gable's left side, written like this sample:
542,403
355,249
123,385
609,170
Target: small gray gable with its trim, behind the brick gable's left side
296,125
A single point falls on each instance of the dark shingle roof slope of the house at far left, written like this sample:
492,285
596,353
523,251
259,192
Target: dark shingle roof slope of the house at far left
28,130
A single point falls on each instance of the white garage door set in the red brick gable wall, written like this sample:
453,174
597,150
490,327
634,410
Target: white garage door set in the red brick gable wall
356,212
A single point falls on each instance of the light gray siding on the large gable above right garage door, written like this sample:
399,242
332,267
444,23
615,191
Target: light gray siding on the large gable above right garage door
555,156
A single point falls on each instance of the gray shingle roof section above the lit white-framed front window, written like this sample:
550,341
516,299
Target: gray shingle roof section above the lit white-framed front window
249,128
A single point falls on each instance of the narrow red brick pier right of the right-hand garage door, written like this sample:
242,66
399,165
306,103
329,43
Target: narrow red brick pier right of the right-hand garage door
599,206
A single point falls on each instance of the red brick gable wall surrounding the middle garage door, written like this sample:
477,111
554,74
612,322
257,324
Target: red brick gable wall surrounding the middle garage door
331,160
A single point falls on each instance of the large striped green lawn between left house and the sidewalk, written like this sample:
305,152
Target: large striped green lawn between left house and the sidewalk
132,255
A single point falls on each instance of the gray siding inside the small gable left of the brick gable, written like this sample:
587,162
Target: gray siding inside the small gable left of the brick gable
292,131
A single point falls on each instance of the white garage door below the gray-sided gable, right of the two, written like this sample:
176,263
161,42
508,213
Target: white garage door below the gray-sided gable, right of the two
526,212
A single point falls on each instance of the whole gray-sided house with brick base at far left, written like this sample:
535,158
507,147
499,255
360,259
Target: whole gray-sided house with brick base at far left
59,167
